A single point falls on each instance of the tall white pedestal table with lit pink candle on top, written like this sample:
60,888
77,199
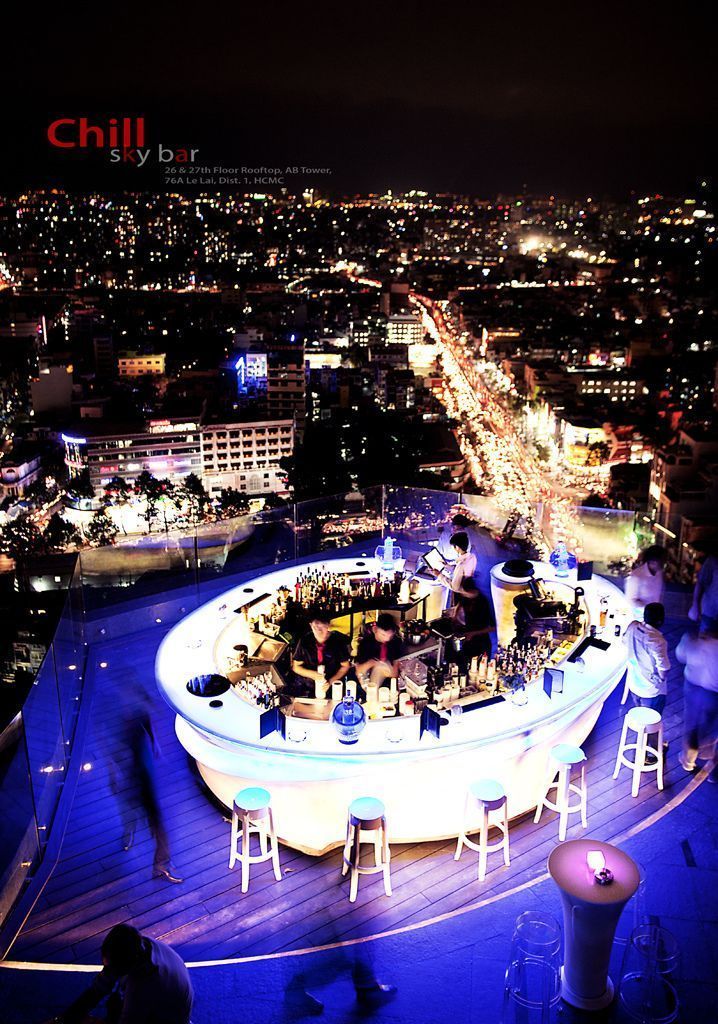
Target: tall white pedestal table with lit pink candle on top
592,913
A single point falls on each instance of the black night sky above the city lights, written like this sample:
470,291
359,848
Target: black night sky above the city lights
562,98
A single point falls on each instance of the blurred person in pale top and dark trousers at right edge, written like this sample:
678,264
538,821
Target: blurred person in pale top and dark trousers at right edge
700,656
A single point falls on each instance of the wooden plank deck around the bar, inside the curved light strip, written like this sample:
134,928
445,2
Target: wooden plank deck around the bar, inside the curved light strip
97,885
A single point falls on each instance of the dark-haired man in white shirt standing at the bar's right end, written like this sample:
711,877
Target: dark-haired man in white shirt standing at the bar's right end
649,663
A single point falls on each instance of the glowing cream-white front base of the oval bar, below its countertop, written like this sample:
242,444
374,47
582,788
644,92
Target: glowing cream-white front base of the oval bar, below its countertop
424,791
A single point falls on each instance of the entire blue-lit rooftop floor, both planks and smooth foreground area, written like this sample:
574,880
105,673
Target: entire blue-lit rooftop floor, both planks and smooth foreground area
441,968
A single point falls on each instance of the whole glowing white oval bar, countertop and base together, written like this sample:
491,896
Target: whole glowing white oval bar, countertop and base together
419,765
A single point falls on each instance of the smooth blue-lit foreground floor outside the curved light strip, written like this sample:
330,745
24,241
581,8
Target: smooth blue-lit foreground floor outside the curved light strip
455,967
